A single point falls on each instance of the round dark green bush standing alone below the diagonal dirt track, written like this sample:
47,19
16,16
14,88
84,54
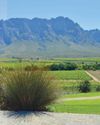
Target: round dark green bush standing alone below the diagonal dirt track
84,86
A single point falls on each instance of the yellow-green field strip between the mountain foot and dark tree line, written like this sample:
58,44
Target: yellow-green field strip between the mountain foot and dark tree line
14,62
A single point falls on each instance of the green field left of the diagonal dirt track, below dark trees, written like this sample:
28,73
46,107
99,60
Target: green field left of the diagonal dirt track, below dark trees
70,75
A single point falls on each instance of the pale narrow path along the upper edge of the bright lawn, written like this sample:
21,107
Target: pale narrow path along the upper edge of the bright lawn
80,98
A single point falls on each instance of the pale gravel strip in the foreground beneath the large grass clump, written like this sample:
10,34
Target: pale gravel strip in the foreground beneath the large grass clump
47,118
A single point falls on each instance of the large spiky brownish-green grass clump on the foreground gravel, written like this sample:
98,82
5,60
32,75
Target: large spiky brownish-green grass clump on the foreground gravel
28,90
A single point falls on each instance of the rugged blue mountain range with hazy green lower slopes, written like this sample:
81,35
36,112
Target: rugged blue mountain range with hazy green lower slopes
47,38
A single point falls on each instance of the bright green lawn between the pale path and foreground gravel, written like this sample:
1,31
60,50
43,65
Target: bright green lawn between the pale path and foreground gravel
79,106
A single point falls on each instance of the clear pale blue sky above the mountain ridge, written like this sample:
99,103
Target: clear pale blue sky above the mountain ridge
85,12
